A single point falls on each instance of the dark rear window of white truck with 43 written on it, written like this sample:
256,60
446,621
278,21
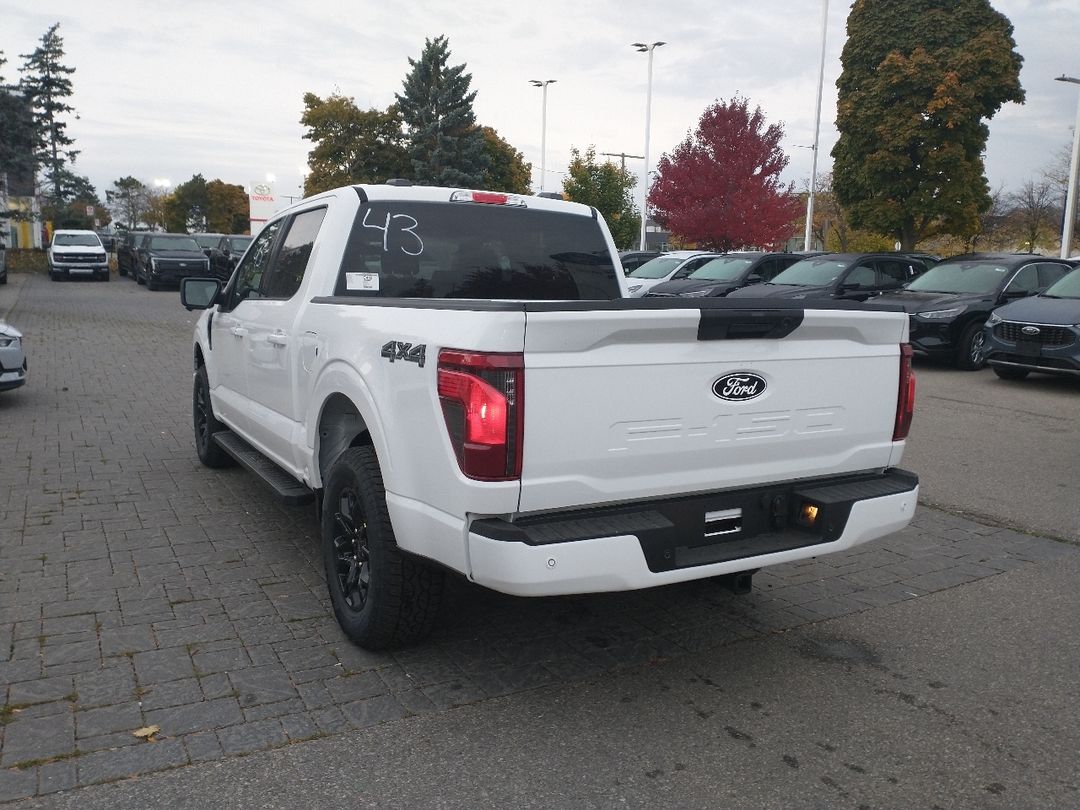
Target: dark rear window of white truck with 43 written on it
414,250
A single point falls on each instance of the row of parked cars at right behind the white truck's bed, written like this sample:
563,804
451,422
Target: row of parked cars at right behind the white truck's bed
965,309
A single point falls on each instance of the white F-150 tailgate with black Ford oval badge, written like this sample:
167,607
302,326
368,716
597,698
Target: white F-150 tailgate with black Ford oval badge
620,403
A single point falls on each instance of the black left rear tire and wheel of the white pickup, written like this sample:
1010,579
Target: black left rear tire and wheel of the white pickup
383,598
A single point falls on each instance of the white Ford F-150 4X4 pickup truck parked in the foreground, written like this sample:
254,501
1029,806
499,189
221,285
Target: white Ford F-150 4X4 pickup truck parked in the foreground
458,382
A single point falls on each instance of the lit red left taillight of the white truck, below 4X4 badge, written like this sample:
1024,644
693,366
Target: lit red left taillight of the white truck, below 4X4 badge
483,398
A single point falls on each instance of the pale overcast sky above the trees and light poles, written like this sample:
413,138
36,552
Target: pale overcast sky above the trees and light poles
165,91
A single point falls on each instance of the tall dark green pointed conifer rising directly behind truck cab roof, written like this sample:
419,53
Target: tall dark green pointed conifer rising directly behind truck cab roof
445,146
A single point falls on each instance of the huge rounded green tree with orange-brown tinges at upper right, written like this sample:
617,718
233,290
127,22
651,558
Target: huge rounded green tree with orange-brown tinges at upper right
920,78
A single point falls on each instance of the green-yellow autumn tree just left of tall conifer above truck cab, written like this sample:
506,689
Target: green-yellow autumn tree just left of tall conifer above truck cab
352,145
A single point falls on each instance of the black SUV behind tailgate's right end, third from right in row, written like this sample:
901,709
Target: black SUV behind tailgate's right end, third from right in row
846,276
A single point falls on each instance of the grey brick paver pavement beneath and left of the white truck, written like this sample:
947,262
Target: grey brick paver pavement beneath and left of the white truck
140,589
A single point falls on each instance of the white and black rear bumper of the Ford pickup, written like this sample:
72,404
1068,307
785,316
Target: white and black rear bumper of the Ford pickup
643,546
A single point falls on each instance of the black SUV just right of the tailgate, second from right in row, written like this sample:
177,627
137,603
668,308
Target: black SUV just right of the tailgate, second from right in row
950,304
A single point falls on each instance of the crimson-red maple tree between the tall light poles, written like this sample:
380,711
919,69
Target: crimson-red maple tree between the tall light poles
721,187
